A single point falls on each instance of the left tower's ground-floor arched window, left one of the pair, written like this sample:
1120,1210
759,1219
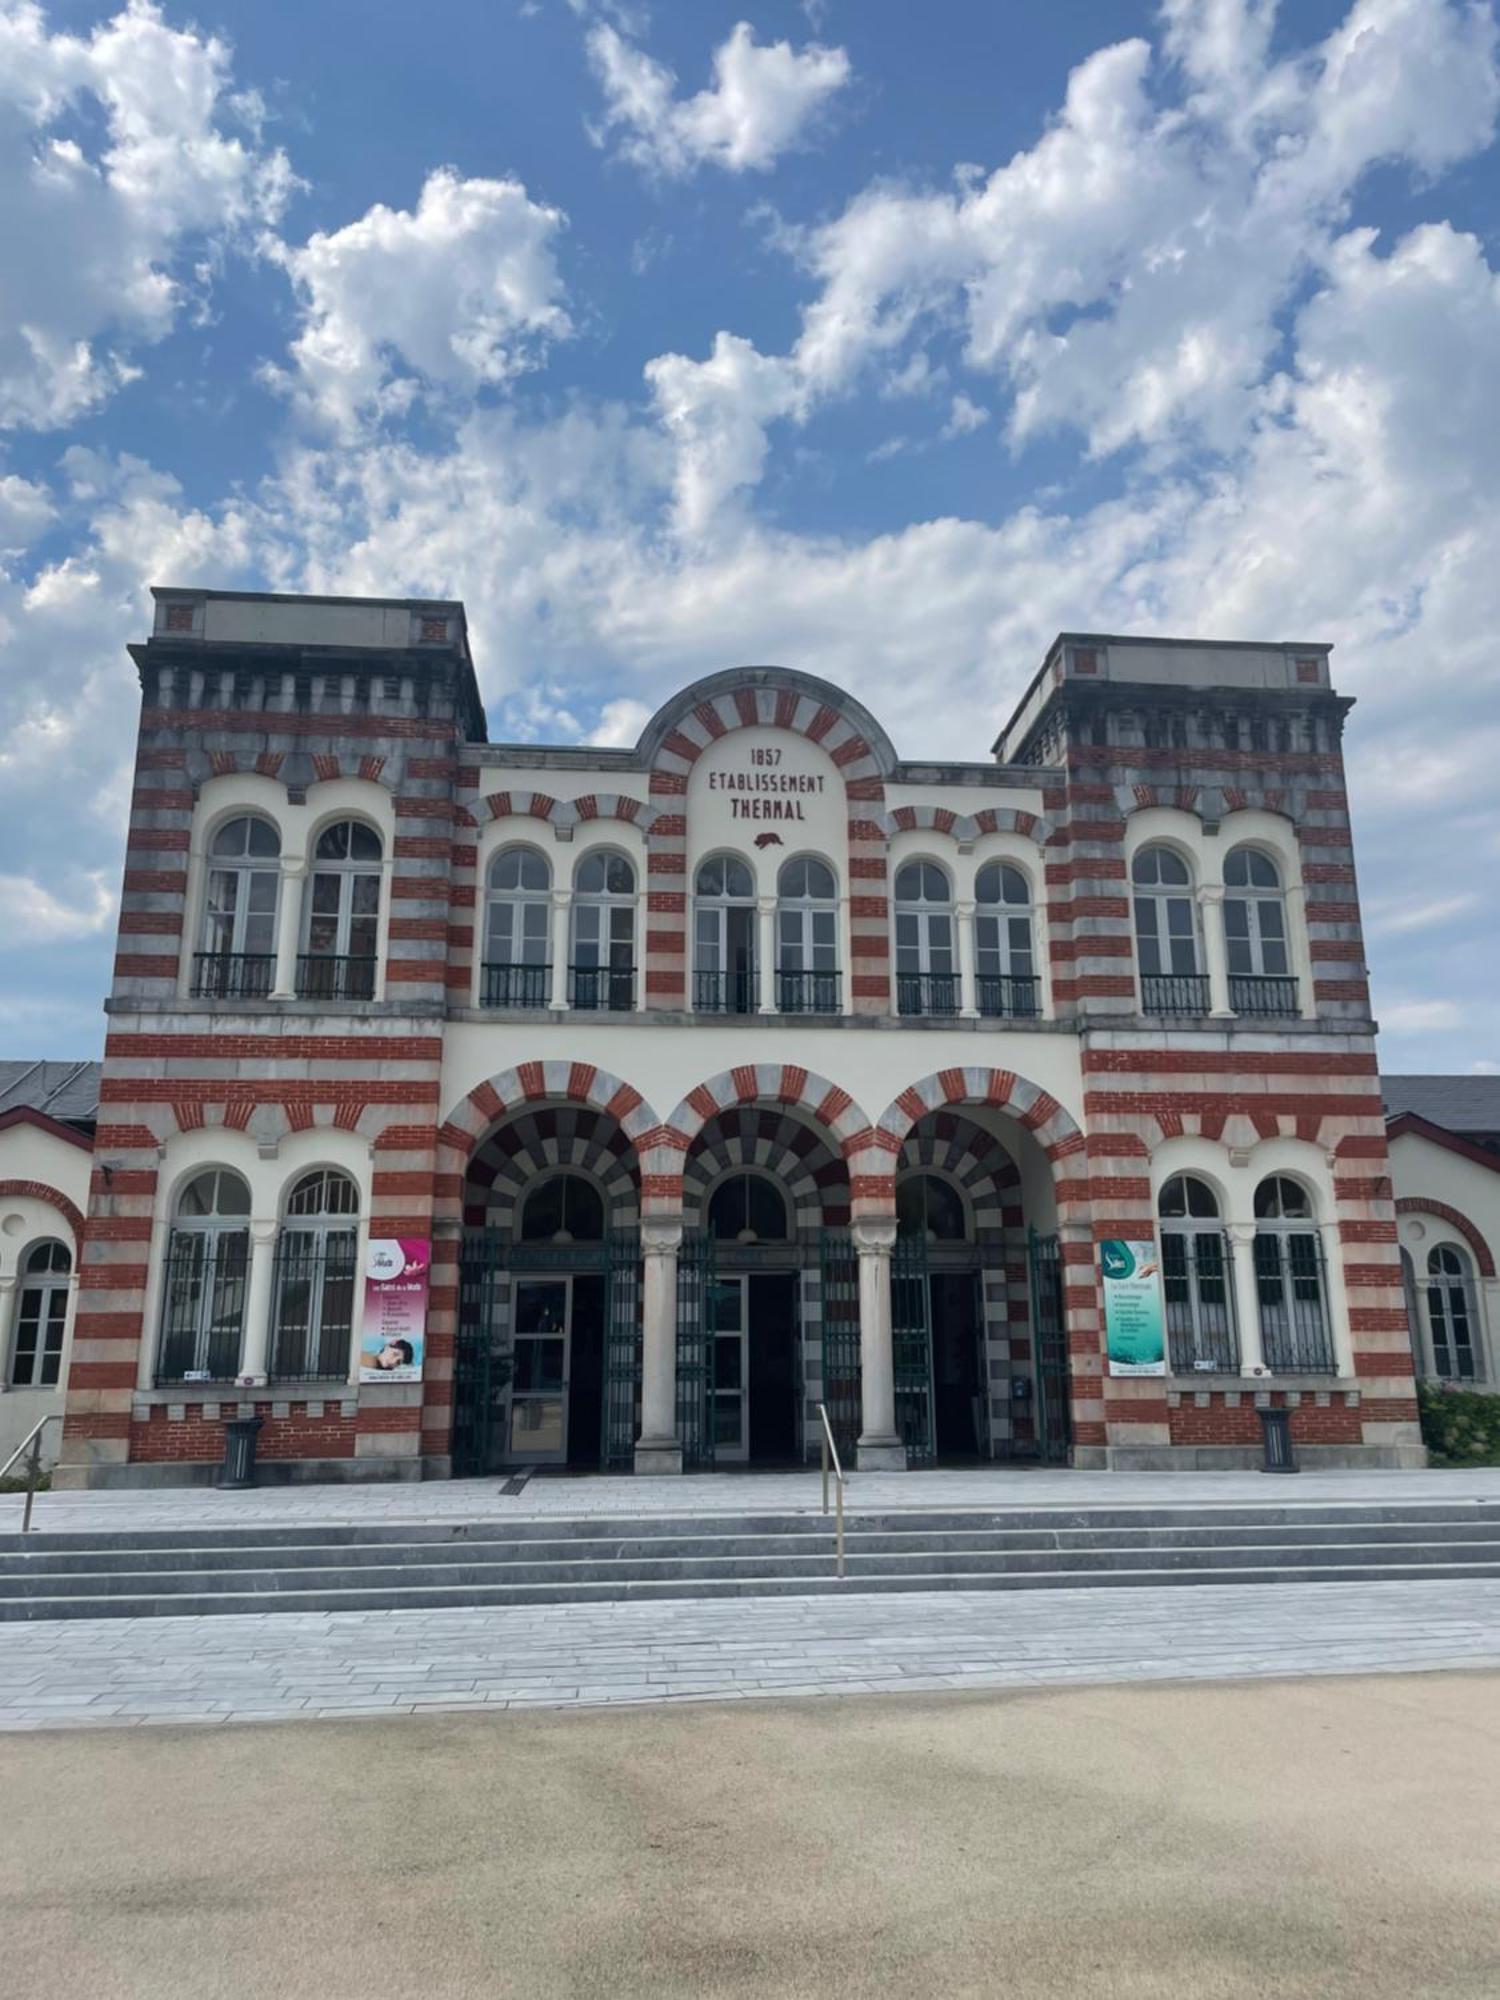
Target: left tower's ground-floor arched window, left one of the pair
207,1267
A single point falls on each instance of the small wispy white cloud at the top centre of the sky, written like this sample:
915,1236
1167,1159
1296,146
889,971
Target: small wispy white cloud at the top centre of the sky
761,105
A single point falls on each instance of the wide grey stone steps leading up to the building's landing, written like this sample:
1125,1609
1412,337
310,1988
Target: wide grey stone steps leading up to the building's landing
587,1561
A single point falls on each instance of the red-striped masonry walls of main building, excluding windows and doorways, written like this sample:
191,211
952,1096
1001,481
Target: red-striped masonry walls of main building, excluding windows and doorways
315,711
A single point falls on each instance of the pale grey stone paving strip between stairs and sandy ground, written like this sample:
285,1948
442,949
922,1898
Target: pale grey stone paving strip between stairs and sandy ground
295,1665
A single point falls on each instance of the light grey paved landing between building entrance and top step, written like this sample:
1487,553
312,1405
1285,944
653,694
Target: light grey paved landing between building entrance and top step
723,1493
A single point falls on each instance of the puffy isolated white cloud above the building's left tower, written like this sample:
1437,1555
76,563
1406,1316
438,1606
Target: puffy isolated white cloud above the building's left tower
459,295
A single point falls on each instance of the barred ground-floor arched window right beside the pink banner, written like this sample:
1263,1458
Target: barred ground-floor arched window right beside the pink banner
315,1281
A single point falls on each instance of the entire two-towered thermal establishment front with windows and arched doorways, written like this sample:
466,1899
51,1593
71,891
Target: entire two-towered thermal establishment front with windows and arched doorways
747,1071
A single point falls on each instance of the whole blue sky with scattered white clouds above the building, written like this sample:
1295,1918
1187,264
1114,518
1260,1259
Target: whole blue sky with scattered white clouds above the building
873,341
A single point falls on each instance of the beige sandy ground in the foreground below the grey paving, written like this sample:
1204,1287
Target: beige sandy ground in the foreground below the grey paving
1297,1839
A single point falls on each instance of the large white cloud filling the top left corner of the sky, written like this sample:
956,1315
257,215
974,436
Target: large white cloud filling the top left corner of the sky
105,231
